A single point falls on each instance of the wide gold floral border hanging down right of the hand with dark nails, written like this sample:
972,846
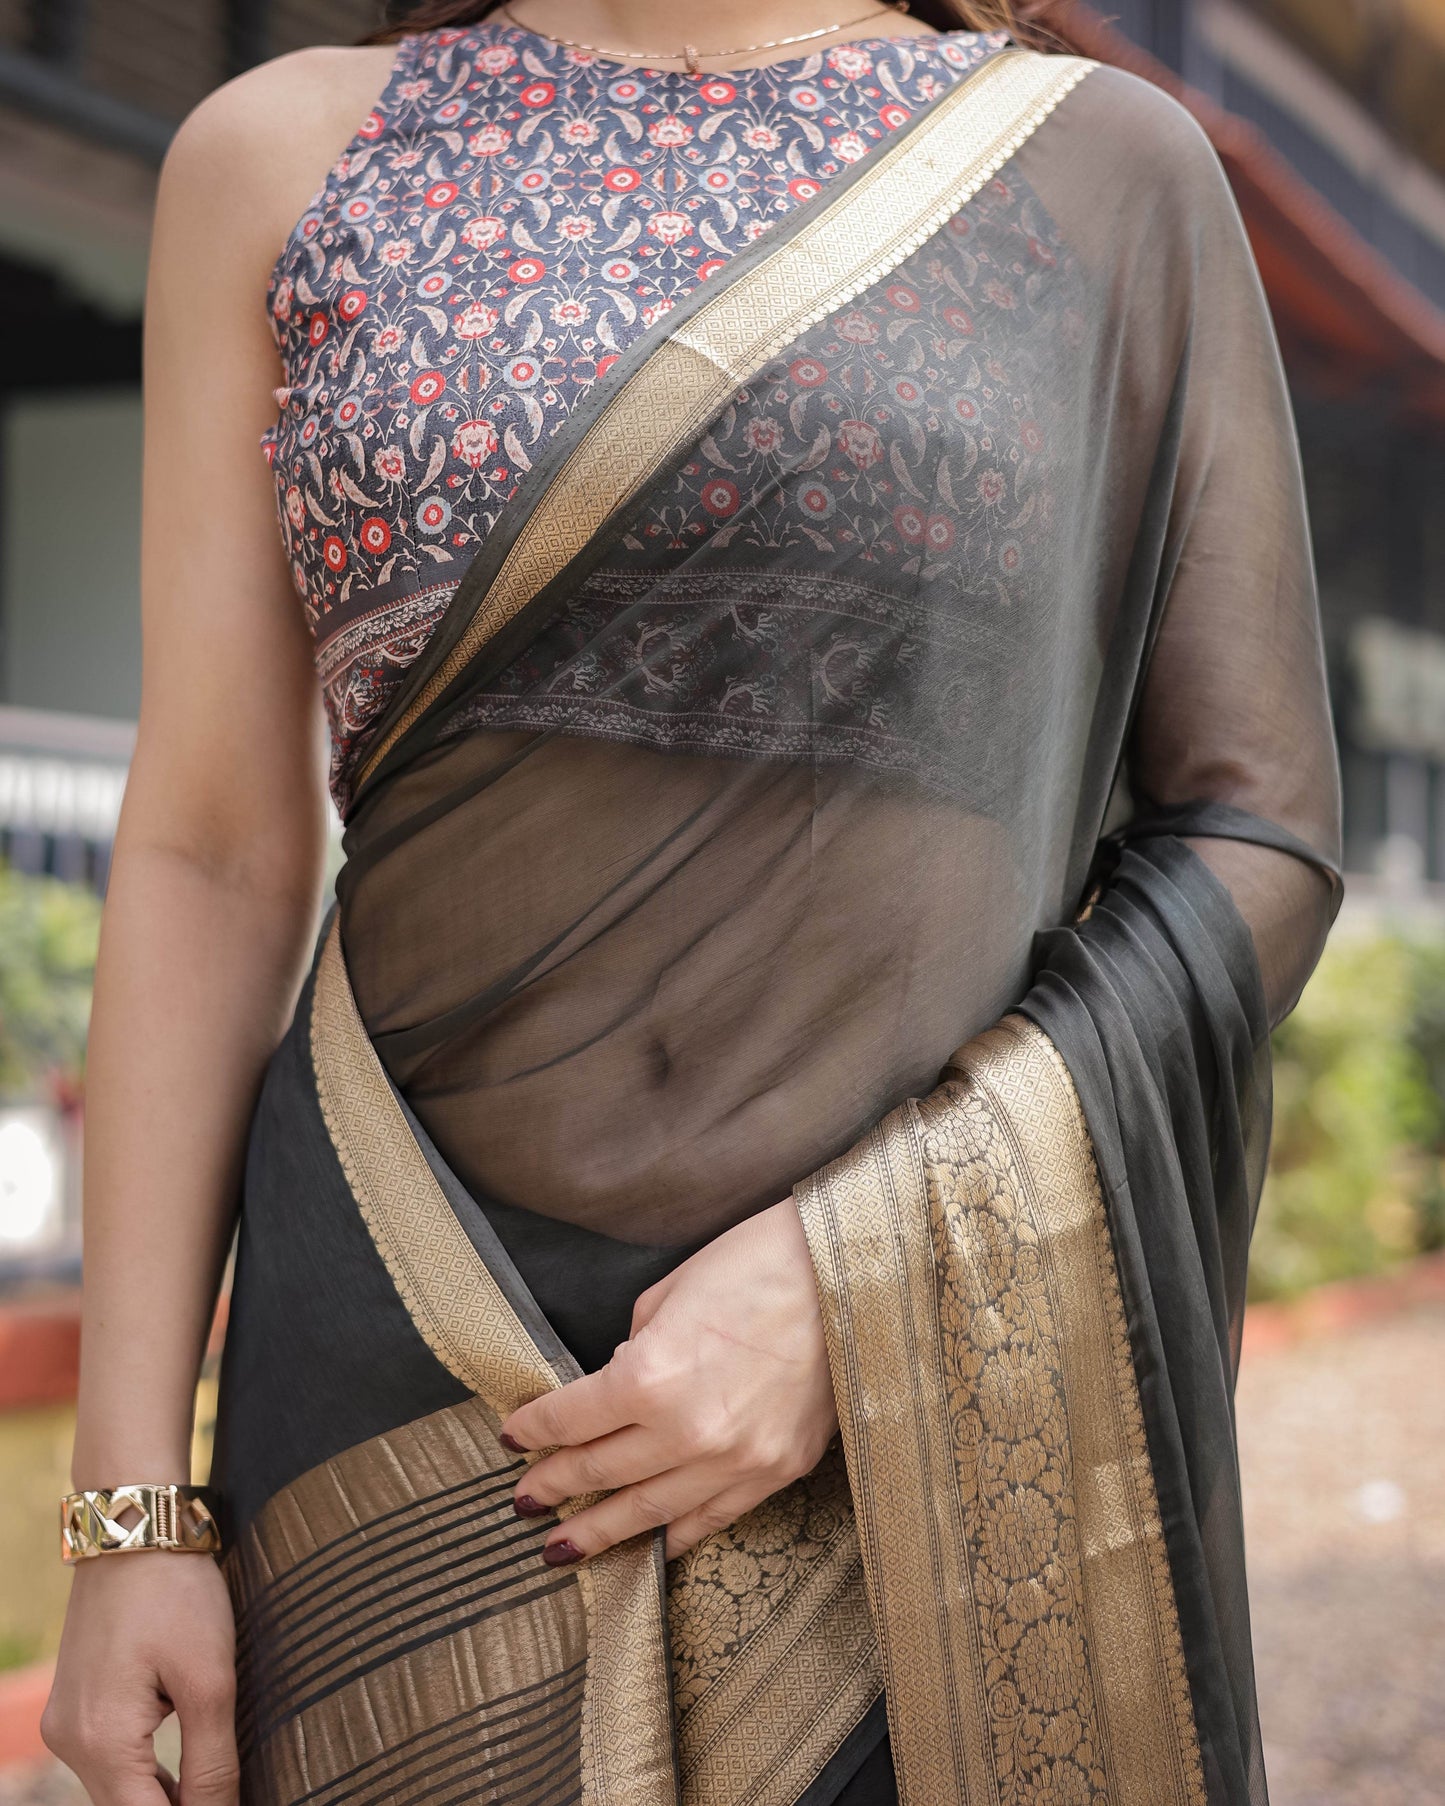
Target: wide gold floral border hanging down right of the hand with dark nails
1007,1509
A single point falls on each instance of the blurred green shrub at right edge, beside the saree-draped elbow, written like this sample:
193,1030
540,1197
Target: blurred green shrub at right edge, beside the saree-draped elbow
1357,1168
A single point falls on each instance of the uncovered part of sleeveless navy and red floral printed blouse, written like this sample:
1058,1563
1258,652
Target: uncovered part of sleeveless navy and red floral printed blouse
505,223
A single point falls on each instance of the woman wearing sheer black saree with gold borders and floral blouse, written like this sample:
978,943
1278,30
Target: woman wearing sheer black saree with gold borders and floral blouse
743,1240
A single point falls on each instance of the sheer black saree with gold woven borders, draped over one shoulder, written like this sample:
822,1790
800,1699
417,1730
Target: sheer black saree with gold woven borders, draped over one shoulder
881,756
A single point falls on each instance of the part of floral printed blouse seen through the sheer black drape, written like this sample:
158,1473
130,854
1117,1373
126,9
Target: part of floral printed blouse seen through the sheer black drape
890,489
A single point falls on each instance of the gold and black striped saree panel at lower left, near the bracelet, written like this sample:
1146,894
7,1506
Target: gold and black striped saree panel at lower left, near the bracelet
400,1639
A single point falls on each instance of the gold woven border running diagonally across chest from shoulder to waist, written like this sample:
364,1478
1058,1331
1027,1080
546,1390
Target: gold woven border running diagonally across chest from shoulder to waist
908,194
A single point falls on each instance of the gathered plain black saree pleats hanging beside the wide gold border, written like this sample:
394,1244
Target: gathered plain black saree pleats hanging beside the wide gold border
1157,1007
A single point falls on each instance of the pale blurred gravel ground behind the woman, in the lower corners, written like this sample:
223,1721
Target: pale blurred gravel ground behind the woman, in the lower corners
1343,1440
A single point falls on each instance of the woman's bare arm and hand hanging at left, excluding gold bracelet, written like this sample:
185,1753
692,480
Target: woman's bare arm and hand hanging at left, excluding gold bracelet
214,897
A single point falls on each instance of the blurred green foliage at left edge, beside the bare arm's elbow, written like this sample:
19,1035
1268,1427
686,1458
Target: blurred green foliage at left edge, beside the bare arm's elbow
50,933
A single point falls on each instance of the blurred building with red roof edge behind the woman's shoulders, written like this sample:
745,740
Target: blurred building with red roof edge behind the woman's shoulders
1330,116
